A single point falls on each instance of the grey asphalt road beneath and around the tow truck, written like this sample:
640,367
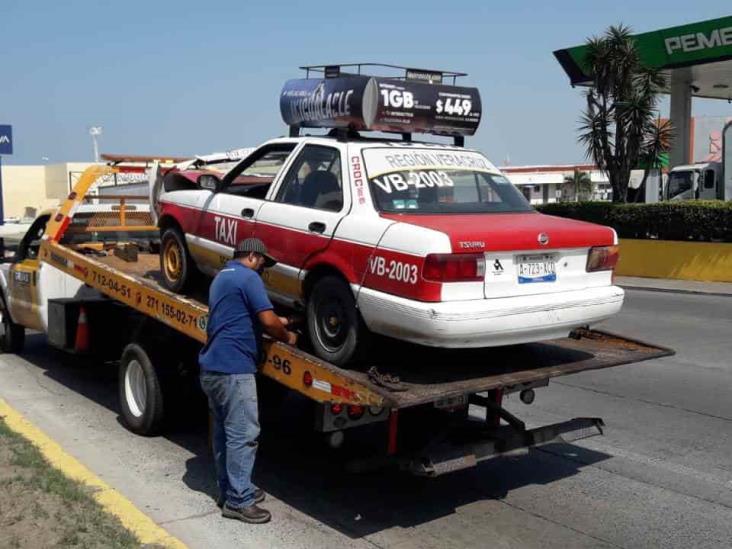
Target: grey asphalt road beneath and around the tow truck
660,477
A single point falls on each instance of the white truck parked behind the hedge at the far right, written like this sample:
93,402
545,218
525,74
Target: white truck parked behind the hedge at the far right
703,180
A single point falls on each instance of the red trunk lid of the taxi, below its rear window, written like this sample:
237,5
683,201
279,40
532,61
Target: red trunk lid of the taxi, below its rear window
509,231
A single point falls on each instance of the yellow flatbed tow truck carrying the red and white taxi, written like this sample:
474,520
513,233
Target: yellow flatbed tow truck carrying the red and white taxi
426,425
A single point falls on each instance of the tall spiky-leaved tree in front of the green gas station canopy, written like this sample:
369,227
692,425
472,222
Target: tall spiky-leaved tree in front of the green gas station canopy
619,122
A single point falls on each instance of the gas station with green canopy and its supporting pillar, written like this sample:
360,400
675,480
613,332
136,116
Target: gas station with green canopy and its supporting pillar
696,59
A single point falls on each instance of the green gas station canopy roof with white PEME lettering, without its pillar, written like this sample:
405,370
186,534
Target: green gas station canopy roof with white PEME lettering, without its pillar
699,53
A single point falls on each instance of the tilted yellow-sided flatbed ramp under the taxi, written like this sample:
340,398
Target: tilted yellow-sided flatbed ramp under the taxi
428,374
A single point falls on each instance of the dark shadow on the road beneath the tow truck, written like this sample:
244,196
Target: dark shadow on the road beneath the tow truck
295,466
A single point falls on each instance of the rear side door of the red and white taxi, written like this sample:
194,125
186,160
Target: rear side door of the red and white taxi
301,218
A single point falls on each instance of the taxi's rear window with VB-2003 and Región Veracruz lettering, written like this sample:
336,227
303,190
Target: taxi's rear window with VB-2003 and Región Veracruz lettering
437,181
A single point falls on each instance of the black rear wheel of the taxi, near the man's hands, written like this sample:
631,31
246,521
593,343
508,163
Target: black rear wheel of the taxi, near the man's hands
337,332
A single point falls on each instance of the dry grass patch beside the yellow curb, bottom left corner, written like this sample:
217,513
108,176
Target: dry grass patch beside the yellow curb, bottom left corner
40,507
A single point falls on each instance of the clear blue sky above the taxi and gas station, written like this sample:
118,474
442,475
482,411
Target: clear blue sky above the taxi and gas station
184,78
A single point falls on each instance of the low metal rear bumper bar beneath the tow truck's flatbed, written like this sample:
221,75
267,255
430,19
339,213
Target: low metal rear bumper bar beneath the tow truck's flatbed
448,457
